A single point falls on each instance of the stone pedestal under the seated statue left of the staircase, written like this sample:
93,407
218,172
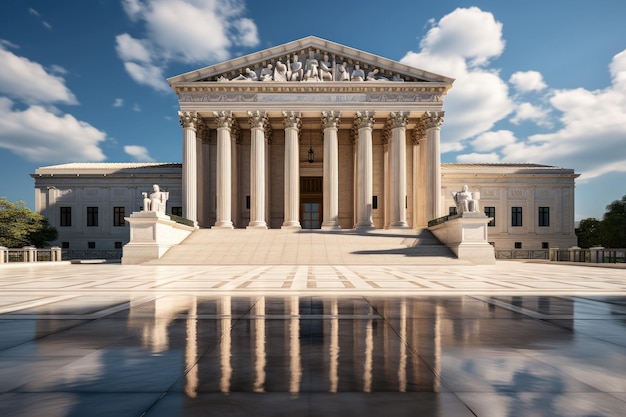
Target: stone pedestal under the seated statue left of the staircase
151,235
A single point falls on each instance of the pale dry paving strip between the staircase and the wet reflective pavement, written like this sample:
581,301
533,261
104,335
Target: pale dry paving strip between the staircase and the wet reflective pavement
30,283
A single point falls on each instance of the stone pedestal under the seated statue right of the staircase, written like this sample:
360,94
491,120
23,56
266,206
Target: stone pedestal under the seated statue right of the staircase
466,236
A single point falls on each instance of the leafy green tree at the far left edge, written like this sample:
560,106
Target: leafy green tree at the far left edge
20,226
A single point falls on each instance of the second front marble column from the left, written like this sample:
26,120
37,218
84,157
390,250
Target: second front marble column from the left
224,120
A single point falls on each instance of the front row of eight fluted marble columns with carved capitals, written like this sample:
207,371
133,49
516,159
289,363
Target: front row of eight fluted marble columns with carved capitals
428,175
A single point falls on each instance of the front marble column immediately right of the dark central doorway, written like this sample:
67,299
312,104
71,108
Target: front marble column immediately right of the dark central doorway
330,123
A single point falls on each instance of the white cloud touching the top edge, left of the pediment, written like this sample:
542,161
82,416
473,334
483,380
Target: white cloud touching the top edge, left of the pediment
210,29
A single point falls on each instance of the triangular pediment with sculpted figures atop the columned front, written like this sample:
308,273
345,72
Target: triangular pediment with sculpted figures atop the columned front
310,59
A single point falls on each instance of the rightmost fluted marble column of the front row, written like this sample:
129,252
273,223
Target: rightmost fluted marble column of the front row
433,187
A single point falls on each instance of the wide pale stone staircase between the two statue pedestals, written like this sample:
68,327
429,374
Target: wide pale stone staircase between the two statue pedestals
309,247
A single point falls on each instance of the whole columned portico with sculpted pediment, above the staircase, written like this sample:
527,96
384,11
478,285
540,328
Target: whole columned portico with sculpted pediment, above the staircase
296,143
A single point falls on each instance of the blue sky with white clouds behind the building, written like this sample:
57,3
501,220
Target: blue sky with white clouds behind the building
536,81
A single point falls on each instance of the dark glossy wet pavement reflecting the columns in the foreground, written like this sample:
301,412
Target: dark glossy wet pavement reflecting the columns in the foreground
148,353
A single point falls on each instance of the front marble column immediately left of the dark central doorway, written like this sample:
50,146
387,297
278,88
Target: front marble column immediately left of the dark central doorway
292,122
